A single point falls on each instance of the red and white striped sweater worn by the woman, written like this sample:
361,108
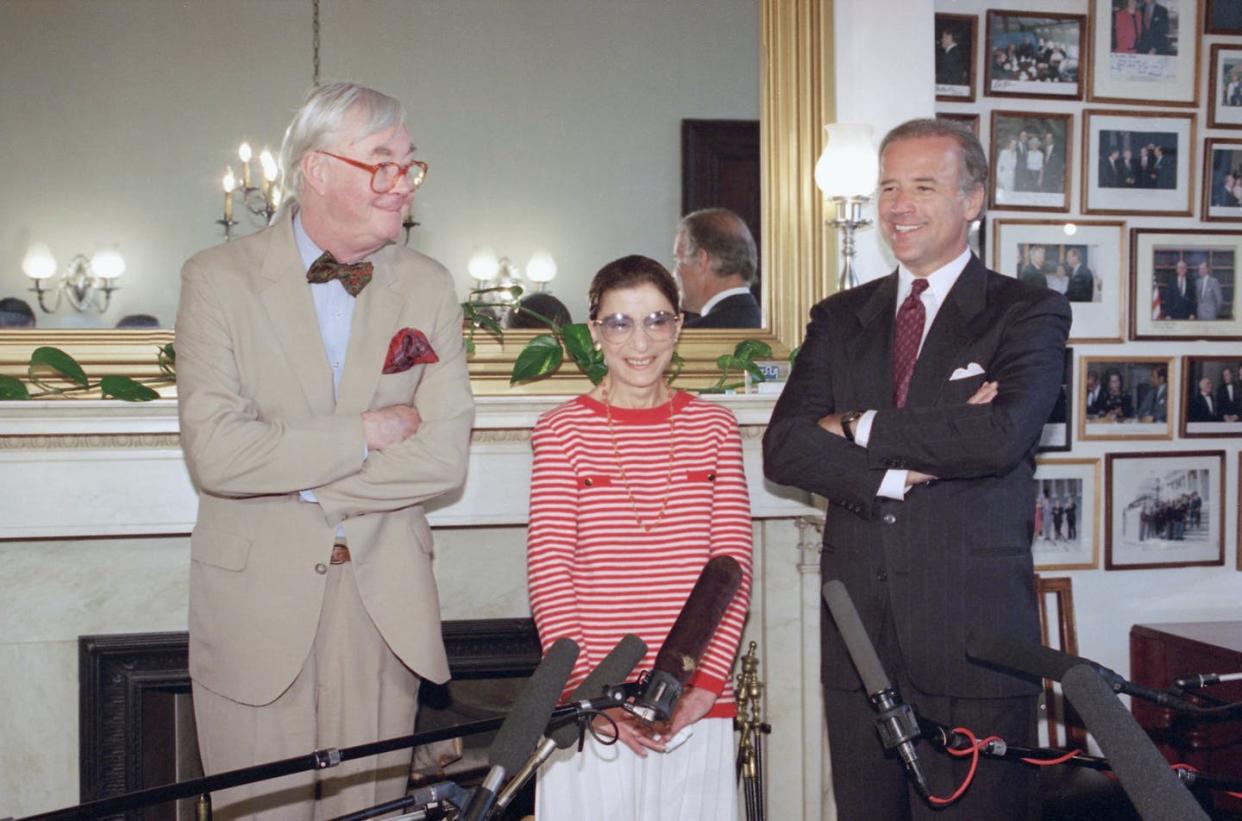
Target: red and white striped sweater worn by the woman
594,573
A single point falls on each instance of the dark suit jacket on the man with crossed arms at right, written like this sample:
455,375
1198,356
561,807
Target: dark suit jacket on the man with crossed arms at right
957,553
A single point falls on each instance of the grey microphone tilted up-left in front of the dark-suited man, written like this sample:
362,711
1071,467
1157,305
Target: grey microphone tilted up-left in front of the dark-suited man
897,725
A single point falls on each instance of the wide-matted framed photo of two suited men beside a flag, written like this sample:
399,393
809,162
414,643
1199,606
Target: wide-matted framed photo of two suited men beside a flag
1184,285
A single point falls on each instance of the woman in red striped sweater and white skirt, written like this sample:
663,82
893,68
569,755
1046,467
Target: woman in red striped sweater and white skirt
635,488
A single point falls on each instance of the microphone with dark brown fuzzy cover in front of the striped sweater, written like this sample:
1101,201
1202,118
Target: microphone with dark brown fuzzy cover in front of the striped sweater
687,639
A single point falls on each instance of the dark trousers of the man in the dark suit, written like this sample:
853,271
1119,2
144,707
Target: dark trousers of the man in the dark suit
871,786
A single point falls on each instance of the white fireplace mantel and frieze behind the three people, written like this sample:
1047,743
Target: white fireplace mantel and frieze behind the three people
104,468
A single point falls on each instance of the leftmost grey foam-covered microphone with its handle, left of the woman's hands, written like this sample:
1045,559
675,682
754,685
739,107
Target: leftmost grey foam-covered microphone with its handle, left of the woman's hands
525,725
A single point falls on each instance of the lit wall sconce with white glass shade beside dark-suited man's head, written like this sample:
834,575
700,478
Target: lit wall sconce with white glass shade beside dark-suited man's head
846,173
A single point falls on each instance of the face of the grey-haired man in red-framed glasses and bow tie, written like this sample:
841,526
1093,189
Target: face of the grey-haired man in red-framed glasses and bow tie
351,219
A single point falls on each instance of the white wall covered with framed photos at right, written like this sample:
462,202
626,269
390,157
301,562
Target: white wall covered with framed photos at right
1113,145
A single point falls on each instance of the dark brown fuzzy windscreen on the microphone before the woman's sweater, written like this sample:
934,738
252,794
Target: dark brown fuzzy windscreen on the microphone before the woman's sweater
697,622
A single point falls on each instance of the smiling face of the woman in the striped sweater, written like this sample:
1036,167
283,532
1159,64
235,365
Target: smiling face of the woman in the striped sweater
638,365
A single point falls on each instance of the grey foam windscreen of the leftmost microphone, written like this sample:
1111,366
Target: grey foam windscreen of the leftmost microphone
528,717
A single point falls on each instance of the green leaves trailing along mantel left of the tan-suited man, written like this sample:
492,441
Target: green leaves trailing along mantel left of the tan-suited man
48,363
